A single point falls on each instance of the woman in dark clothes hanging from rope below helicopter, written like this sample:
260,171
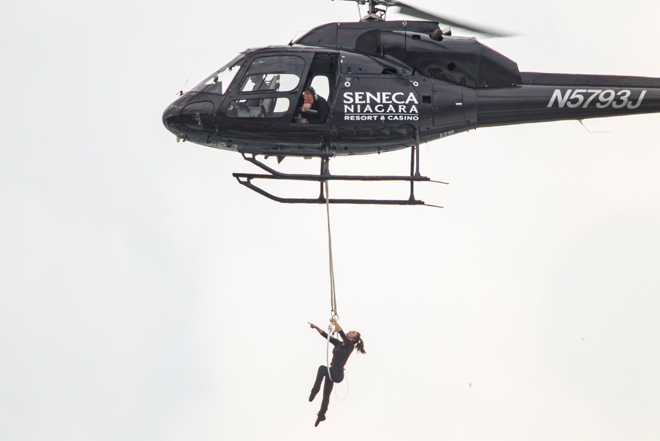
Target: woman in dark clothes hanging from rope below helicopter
335,373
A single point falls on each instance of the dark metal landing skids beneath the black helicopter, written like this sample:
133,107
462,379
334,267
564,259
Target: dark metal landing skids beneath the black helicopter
324,175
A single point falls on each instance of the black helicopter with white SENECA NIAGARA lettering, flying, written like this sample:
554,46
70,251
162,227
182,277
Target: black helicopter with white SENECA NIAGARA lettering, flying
391,85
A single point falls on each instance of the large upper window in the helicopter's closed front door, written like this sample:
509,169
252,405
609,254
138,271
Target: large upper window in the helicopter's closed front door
273,74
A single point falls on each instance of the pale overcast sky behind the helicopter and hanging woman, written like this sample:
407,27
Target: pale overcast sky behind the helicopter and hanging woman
145,295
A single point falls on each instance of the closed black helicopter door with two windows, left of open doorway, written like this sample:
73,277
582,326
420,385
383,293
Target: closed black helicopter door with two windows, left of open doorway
269,88
